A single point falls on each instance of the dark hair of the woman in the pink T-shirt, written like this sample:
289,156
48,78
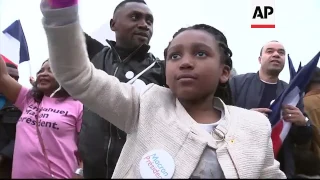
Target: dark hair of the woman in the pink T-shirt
37,95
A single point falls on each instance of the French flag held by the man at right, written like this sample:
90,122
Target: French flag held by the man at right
290,96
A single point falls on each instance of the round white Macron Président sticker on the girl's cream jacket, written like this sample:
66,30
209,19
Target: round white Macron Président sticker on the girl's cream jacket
157,164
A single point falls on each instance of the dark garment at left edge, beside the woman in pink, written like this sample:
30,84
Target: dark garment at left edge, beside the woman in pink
9,116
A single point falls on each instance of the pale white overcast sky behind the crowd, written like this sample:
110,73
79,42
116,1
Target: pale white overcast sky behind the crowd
297,27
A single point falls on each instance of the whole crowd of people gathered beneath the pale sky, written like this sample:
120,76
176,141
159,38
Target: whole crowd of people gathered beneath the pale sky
118,111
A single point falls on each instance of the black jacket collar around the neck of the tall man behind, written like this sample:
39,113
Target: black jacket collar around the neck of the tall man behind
141,51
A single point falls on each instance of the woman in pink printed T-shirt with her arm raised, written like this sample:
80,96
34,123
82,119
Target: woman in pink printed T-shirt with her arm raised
47,131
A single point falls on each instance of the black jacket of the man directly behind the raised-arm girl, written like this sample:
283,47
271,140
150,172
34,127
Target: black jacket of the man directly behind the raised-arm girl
100,142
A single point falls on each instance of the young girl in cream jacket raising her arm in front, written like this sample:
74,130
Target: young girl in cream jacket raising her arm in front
184,131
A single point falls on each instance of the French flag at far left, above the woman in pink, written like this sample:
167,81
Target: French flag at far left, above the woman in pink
13,45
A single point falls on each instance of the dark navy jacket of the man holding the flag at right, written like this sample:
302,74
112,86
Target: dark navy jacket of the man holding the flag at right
247,91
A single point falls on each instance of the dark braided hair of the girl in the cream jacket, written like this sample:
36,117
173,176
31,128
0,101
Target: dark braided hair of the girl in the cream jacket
223,90
